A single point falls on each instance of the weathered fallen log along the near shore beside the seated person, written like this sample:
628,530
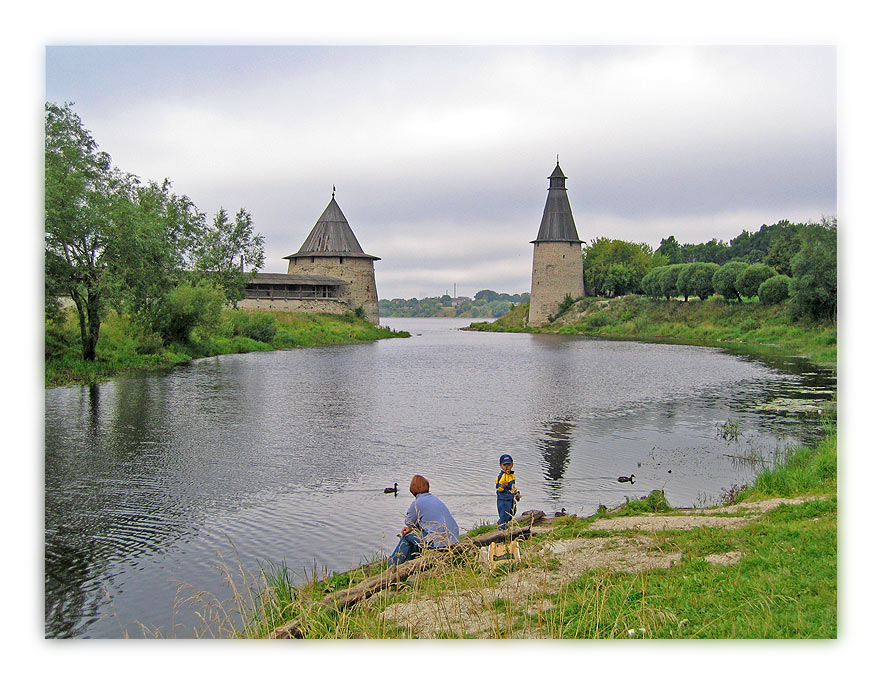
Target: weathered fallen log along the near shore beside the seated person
522,527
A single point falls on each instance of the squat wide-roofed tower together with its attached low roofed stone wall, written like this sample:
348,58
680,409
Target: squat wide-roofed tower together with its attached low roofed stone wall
330,273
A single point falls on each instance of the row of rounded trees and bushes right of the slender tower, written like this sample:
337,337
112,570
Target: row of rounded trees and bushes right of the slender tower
785,262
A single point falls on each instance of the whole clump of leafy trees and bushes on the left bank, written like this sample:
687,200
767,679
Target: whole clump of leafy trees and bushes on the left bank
113,241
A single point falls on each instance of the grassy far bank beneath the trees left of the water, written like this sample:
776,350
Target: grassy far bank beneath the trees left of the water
124,348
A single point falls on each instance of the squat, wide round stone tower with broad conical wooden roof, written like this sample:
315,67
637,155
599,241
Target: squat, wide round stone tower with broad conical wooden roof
331,251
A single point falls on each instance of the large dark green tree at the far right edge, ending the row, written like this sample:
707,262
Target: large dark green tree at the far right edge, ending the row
813,288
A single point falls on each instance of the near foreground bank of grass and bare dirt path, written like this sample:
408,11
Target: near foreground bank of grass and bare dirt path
763,570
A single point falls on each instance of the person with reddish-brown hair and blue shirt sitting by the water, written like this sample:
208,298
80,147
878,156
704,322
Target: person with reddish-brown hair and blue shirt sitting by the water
428,524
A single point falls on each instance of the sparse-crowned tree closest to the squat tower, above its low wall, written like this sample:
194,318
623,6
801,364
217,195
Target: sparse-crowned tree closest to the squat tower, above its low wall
229,253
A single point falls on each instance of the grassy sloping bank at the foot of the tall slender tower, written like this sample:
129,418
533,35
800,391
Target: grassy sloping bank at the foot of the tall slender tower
712,322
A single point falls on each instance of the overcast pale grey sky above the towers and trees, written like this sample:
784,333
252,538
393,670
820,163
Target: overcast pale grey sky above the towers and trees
440,155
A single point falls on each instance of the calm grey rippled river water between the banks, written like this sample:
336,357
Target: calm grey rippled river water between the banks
155,483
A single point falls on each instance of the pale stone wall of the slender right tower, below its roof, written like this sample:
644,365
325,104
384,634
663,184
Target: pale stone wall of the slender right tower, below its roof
557,272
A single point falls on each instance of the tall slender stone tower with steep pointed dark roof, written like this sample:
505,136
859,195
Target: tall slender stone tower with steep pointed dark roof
557,255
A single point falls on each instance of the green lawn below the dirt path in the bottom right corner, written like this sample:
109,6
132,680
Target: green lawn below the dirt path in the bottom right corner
784,586
